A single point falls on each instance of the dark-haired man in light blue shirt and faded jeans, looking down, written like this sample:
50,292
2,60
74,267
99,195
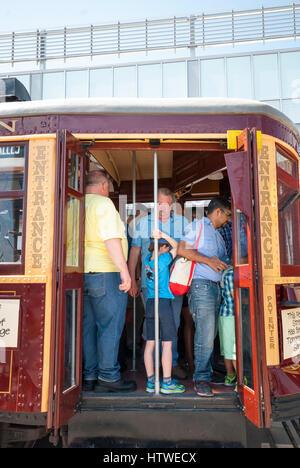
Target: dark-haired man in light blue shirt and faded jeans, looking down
205,293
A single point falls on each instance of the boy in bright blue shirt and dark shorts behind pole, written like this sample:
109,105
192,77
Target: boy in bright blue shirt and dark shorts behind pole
167,250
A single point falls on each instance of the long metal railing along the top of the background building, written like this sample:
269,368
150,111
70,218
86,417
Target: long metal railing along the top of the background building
233,27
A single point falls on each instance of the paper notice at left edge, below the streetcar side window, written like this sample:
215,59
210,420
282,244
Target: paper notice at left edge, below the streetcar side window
9,322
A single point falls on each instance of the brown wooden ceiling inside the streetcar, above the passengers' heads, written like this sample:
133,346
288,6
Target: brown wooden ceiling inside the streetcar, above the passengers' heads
193,173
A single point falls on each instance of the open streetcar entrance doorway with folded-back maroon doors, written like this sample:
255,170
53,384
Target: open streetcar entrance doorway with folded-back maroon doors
195,171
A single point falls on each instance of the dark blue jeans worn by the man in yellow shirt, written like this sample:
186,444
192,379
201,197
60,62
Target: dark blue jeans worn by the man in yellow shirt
104,311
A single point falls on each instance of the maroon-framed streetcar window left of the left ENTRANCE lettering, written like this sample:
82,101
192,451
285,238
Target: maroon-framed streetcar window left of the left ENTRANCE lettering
12,170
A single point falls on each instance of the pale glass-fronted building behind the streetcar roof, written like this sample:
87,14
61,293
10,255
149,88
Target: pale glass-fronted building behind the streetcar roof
265,68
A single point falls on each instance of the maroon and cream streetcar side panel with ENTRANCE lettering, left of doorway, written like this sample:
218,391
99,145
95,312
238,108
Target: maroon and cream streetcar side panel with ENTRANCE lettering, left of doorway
24,376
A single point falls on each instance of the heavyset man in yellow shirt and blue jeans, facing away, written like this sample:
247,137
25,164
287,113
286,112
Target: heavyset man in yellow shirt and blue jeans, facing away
106,283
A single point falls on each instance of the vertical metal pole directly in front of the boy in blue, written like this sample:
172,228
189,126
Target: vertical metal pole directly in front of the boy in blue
156,277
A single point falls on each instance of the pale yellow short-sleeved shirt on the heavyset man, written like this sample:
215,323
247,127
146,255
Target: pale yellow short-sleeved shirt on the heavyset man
102,222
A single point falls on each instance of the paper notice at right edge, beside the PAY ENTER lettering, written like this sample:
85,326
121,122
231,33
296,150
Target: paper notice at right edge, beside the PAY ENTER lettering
291,332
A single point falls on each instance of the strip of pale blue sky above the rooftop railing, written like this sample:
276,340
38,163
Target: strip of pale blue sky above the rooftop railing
18,15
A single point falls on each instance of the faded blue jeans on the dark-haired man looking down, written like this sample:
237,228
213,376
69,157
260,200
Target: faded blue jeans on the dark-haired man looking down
204,302
